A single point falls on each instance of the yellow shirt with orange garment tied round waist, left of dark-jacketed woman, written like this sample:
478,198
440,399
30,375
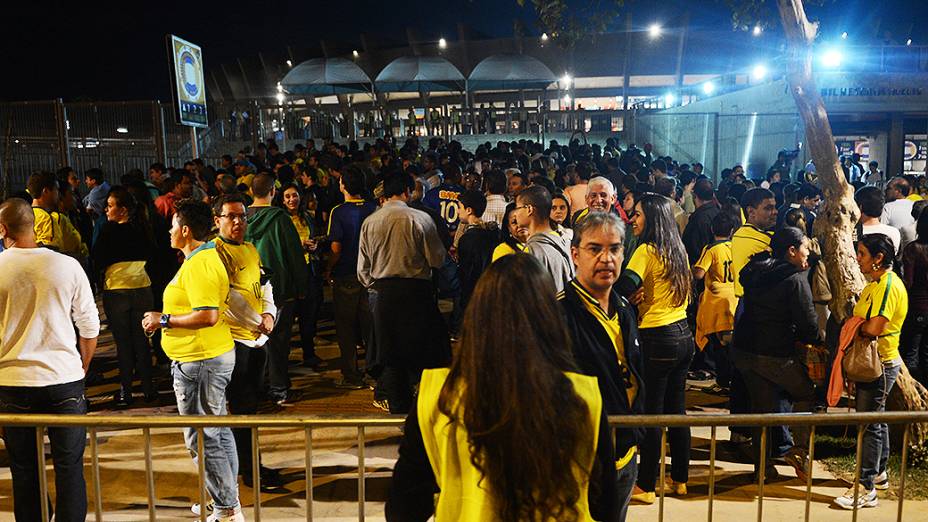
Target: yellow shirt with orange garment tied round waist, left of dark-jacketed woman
717,304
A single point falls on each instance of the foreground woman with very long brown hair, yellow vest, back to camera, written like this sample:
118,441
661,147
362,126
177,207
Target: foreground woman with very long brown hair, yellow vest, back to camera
509,432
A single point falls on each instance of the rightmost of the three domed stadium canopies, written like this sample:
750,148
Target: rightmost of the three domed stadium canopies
510,71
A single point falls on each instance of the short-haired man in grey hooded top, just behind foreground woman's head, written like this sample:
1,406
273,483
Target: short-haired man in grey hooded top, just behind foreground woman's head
533,211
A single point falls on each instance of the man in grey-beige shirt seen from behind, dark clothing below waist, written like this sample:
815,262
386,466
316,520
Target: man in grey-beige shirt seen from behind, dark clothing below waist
398,250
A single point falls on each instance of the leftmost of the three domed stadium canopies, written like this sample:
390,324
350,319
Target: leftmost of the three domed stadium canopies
325,77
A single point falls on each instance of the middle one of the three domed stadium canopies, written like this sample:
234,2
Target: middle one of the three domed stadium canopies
420,74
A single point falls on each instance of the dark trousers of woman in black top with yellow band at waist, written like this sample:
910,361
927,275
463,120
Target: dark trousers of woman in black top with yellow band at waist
124,310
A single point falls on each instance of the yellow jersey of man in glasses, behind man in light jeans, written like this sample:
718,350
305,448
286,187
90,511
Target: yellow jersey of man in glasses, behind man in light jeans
243,265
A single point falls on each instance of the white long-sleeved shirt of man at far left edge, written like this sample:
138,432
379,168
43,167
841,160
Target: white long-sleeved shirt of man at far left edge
43,296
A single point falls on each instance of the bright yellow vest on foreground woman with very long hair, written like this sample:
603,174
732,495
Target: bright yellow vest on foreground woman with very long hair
463,494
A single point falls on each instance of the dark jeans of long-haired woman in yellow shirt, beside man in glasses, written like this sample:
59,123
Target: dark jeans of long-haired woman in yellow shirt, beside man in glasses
668,351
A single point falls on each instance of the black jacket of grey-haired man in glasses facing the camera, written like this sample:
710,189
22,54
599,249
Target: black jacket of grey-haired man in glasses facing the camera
595,355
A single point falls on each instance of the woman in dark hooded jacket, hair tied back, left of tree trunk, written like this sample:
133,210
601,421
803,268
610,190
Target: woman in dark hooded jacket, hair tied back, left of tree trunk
777,314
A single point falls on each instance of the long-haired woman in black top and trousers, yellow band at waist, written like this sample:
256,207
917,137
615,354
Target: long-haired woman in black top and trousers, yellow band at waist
120,253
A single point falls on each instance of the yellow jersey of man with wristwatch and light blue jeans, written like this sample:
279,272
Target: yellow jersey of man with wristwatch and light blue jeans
201,284
